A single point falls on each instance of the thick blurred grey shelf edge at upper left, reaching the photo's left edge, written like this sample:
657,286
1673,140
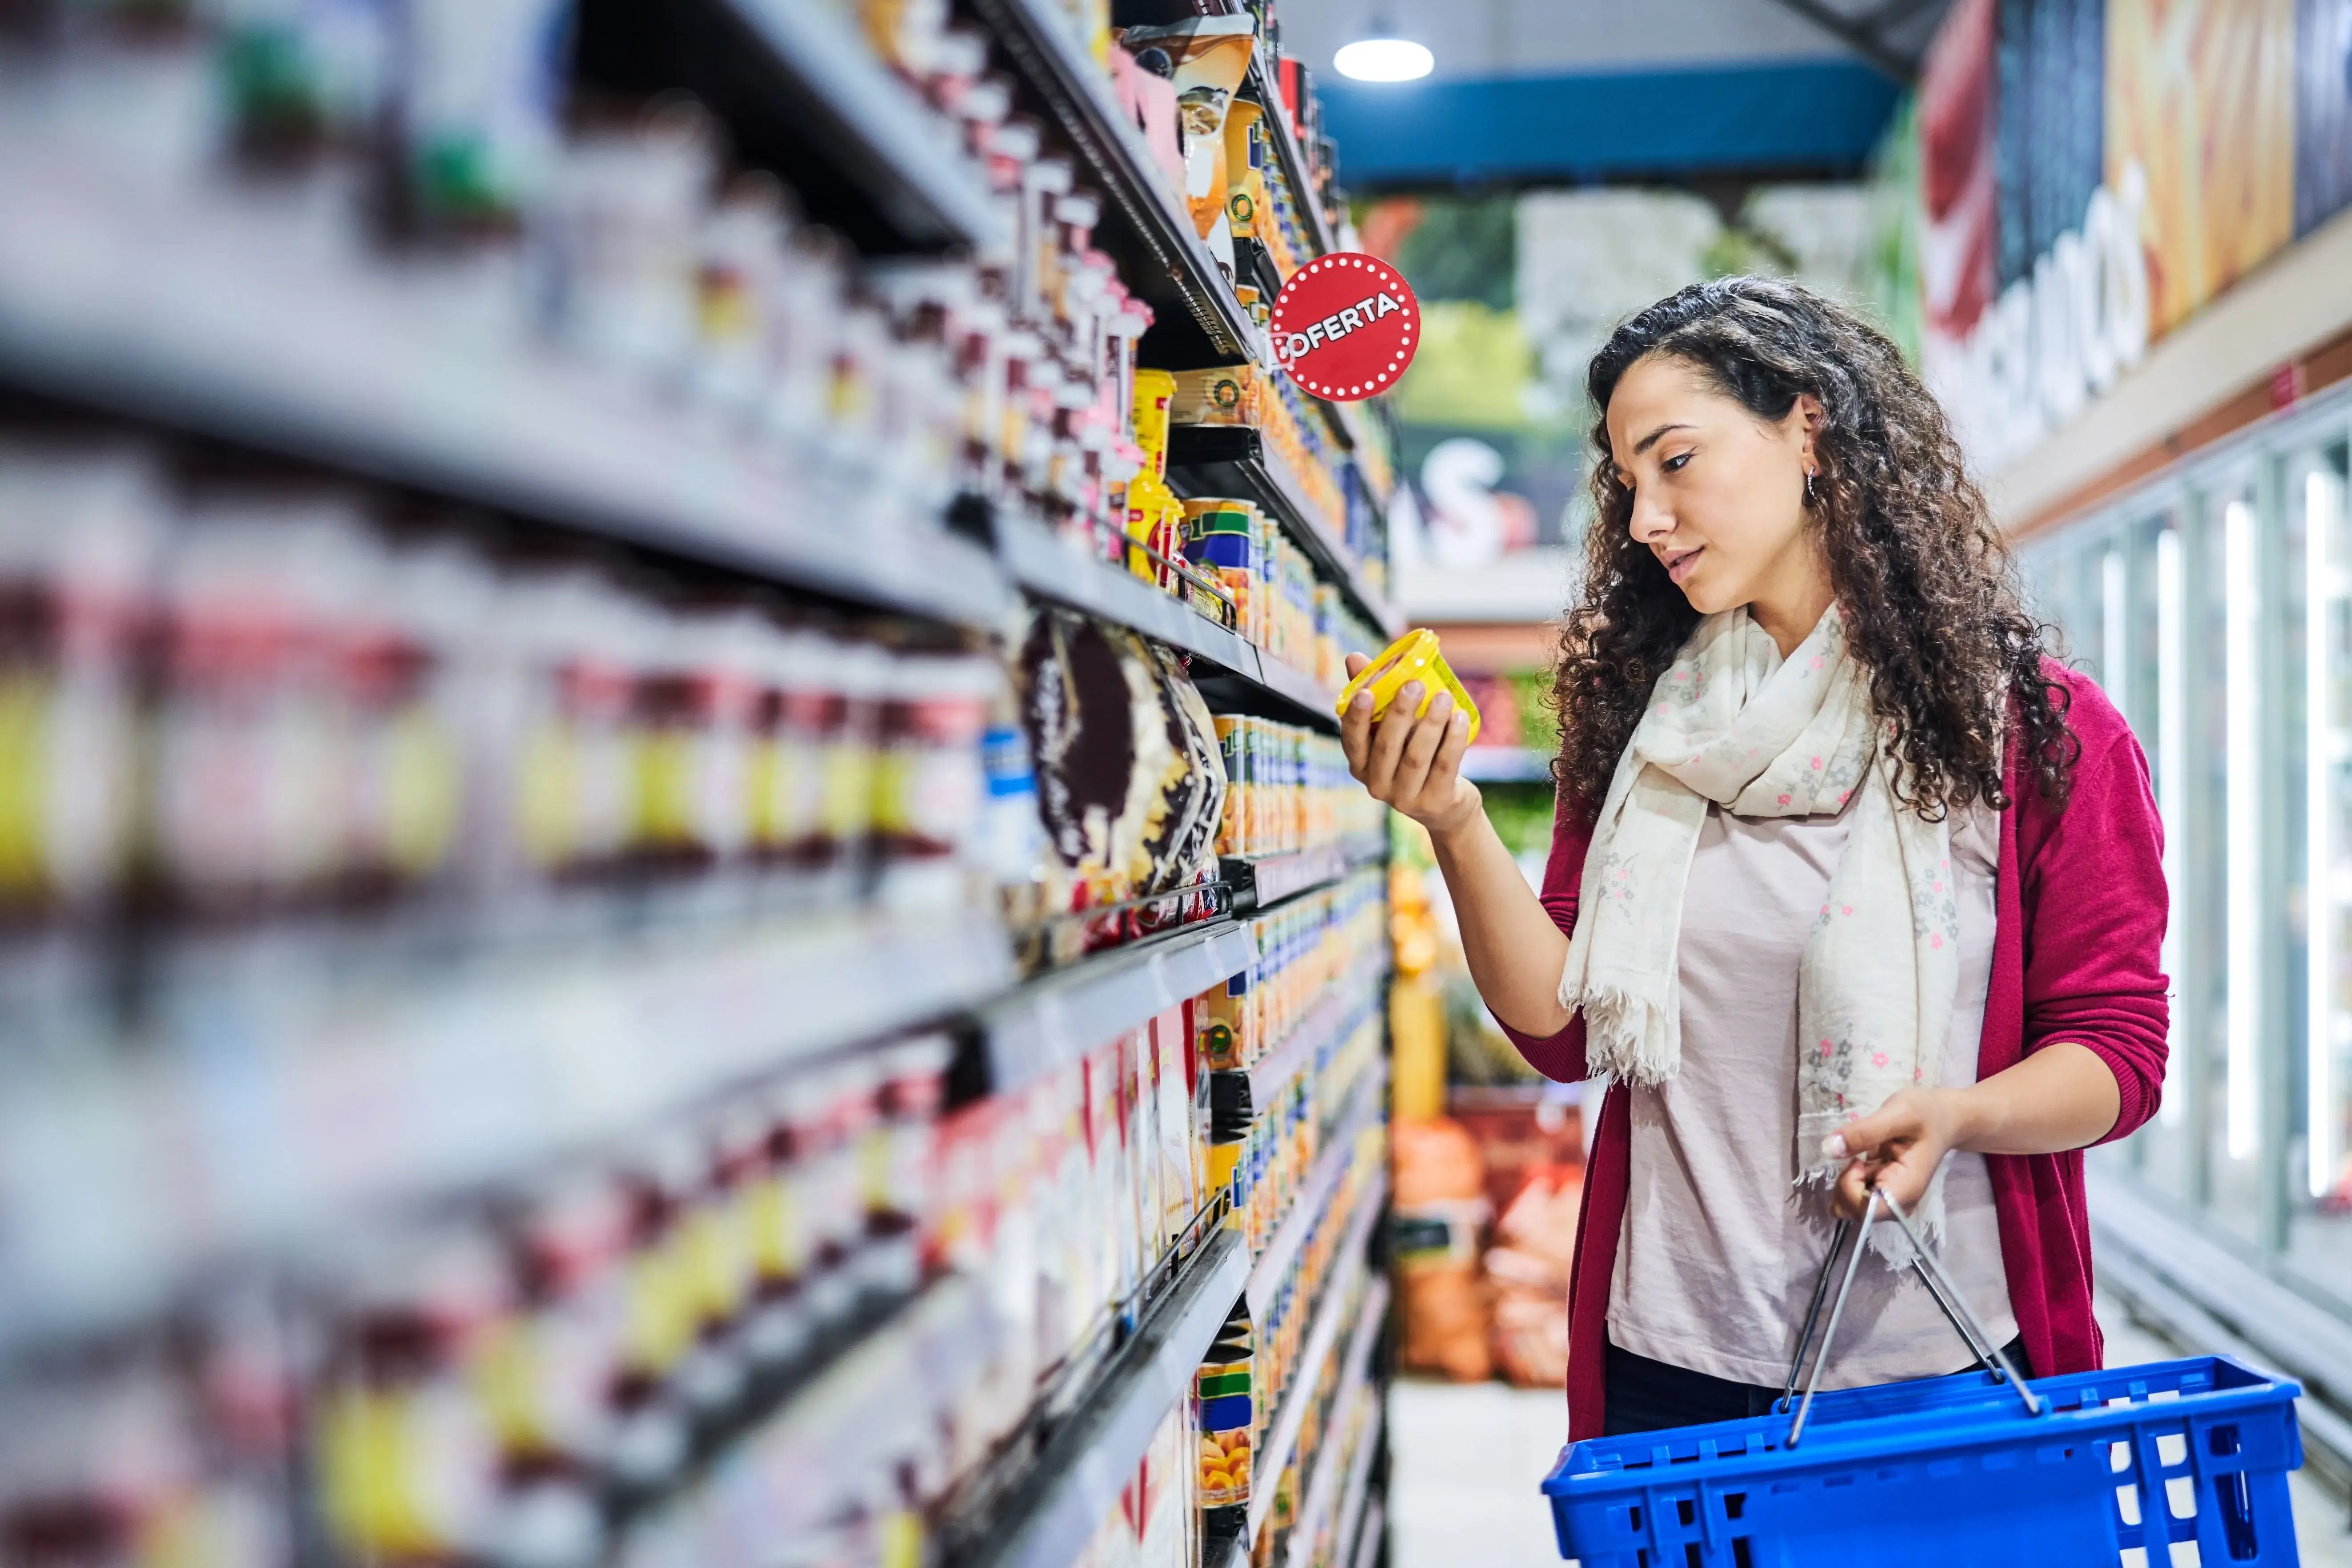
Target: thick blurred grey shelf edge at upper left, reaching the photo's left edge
255,337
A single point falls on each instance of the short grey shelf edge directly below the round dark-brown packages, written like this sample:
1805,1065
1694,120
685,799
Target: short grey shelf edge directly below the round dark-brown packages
1057,1019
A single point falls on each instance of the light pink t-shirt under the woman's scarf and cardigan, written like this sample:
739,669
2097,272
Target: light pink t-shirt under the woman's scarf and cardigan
1720,1252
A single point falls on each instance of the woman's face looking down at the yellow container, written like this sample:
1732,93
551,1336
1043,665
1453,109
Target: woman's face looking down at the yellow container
1718,495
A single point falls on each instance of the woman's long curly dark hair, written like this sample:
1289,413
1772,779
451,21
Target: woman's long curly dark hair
1916,558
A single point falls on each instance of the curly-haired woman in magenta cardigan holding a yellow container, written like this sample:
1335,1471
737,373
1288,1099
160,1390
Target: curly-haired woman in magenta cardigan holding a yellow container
1850,883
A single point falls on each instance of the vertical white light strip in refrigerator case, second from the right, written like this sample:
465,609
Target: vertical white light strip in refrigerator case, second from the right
2243,603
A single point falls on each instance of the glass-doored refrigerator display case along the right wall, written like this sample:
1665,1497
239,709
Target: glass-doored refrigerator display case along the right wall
2214,605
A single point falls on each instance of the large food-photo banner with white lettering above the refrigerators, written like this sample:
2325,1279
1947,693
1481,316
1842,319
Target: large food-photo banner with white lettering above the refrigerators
2087,175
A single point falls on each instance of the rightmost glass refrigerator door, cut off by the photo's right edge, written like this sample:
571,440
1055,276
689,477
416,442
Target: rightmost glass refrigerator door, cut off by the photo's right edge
2320,1240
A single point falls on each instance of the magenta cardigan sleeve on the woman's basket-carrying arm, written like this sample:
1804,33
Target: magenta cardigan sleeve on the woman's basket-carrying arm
2092,885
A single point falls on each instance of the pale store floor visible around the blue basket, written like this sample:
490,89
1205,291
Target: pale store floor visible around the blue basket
1469,1461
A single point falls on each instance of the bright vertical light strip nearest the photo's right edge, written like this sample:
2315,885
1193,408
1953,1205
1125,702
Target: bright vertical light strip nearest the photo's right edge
2323,749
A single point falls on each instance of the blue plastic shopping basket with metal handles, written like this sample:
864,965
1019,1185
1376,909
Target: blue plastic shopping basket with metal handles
2116,1468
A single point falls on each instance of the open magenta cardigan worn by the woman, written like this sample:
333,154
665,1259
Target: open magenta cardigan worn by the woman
2080,916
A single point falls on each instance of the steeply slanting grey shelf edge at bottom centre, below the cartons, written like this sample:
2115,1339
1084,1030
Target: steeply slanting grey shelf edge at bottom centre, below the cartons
1076,1482
